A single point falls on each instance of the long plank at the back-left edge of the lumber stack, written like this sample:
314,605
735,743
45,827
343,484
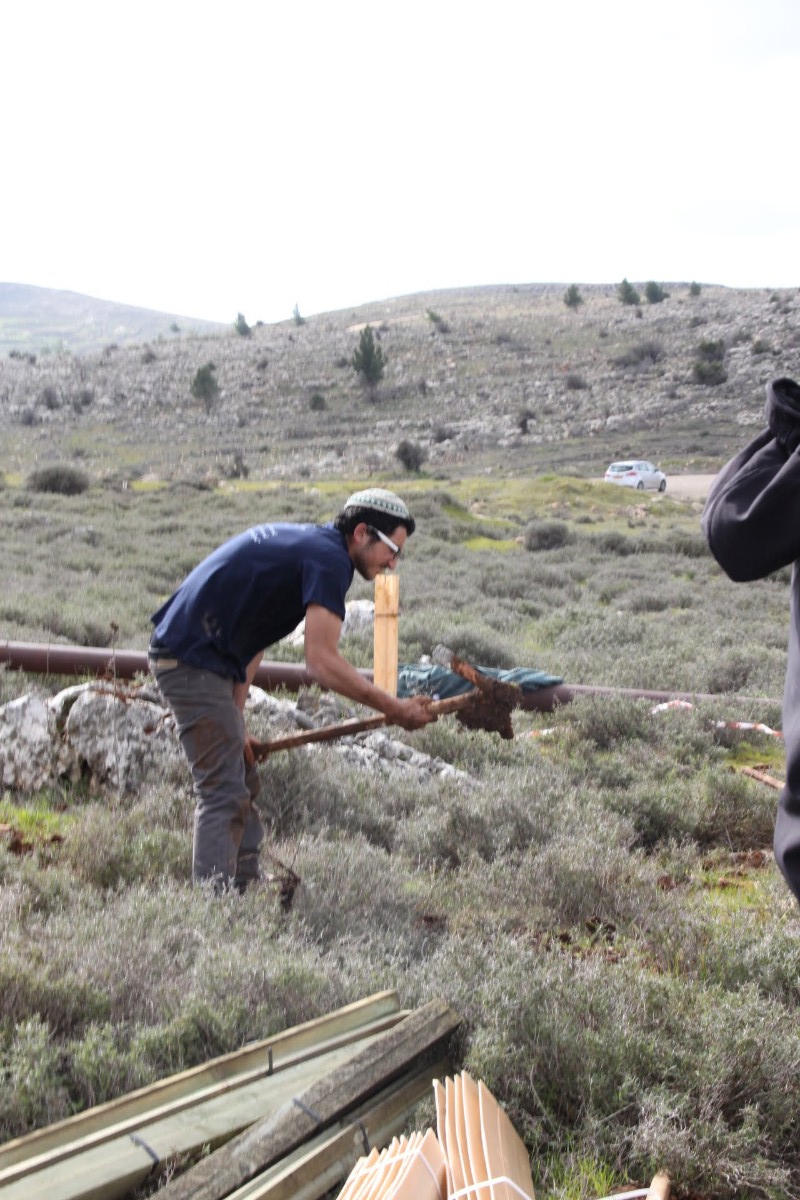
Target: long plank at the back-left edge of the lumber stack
258,1058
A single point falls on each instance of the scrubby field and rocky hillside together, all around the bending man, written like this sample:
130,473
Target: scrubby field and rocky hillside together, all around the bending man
597,897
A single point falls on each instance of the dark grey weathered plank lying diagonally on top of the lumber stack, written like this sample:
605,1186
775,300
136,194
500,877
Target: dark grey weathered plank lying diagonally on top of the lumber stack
411,1041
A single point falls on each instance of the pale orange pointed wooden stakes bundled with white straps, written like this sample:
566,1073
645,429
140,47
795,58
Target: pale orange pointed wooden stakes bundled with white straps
476,1153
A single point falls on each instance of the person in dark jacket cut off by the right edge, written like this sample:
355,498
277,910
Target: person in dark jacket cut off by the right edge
753,525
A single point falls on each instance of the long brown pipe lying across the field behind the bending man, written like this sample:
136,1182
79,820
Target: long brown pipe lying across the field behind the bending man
81,661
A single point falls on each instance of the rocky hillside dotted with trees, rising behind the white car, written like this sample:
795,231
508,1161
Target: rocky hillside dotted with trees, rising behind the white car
498,376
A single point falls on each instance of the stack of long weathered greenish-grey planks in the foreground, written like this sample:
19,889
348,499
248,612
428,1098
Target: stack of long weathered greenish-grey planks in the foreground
360,1071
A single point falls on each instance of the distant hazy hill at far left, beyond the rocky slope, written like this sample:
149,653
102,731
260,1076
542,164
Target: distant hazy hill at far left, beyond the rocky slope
50,321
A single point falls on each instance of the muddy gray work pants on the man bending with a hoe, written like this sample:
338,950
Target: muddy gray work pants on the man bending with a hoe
228,831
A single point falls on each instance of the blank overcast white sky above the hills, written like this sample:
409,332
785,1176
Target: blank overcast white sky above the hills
207,159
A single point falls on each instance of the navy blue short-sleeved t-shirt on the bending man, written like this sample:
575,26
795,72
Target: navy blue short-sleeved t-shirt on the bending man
251,592
